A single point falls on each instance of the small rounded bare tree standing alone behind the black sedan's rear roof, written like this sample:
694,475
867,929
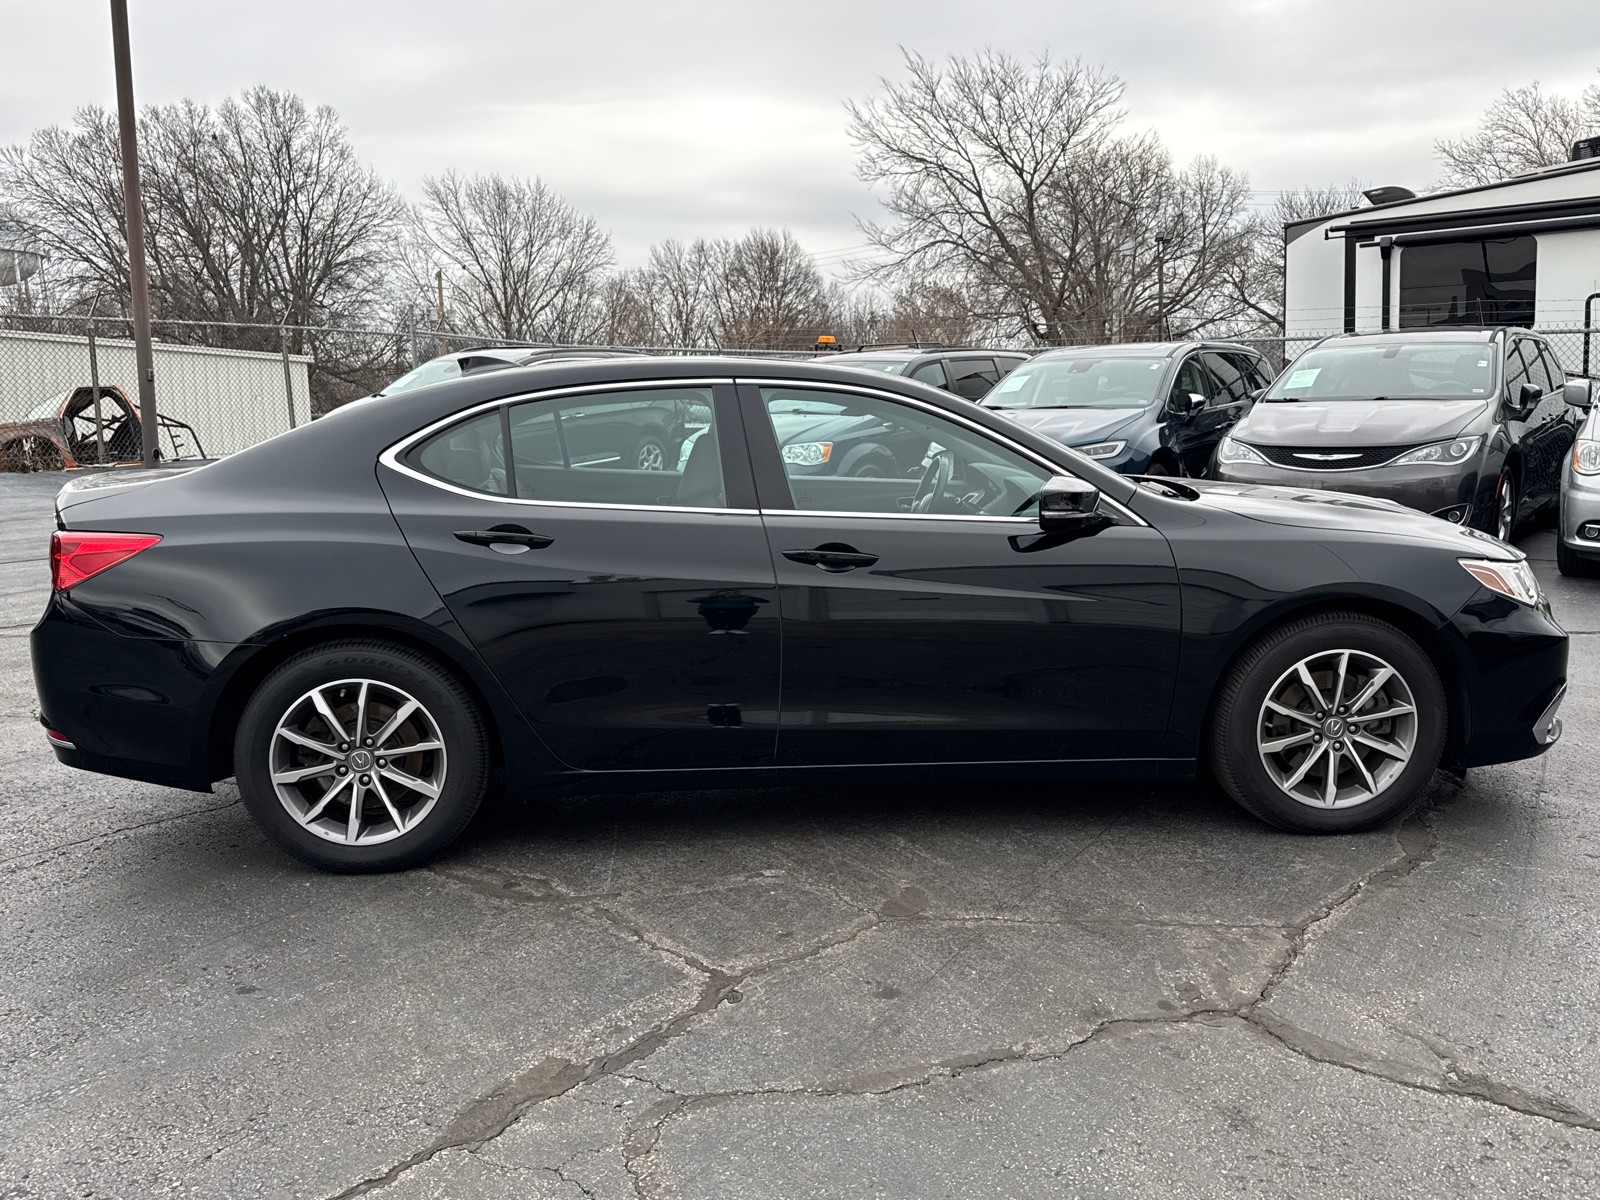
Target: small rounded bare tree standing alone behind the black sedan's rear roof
521,262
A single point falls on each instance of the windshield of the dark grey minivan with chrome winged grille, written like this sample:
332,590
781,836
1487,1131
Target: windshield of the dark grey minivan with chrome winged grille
1394,372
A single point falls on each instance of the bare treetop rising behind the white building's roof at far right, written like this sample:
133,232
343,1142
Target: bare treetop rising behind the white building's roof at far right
1521,132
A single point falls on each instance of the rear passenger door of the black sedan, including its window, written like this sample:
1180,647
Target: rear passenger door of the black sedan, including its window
630,614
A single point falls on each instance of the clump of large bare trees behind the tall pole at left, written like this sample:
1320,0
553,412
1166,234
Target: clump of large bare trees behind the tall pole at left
258,212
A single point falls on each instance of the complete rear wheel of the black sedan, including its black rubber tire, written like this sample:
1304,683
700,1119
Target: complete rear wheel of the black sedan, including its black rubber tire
399,825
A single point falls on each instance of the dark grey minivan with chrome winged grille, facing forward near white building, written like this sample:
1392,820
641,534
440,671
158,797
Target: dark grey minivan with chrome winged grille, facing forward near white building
1466,425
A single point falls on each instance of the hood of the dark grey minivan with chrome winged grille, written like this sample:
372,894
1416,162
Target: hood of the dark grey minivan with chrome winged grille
1358,423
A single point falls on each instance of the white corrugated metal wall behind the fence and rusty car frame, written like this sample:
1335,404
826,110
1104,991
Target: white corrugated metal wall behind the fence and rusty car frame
234,399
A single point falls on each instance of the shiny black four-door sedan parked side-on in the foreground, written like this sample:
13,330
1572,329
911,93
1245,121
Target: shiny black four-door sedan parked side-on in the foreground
369,618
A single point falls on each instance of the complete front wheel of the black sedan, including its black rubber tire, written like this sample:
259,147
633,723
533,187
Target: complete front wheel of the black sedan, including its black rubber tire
1369,788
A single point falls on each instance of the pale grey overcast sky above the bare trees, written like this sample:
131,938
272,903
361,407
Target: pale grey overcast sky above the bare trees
689,121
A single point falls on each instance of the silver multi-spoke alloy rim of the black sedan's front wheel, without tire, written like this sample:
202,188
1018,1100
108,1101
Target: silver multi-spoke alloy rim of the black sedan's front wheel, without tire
1337,729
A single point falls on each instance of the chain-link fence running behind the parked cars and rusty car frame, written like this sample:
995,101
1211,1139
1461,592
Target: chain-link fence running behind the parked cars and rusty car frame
70,385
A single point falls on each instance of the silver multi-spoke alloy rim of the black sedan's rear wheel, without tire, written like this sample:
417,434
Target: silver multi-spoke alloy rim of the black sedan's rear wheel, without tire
358,762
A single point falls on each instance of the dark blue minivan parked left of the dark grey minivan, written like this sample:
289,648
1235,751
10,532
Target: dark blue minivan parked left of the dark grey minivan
1138,409
